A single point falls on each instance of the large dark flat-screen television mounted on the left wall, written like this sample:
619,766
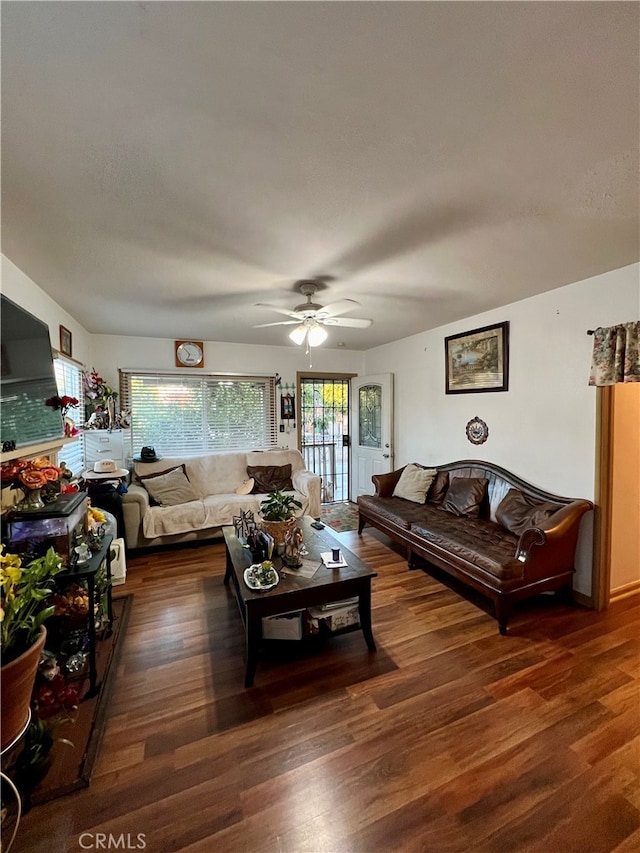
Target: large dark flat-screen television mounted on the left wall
27,378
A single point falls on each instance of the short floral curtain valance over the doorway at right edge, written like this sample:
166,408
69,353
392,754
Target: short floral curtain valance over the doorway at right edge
616,354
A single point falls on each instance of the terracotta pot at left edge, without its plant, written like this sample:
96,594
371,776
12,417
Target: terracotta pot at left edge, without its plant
16,681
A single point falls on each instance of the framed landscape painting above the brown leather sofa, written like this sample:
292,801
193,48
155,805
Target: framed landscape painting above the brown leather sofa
478,360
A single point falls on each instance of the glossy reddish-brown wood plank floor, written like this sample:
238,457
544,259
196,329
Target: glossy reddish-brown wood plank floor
449,738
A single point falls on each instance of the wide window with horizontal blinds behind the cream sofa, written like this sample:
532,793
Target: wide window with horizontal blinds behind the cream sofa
184,415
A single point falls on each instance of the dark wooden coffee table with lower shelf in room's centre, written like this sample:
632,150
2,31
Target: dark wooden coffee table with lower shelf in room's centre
294,593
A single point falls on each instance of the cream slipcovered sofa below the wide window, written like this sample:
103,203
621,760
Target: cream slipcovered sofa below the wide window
214,479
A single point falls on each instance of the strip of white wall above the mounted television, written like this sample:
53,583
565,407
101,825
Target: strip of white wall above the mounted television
24,292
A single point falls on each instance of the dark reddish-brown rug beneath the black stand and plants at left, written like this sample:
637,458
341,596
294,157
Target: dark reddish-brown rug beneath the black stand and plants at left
73,764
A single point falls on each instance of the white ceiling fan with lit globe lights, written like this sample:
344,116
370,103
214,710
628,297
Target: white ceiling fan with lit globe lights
309,317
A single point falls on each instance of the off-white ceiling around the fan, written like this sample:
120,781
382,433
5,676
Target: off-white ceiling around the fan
166,165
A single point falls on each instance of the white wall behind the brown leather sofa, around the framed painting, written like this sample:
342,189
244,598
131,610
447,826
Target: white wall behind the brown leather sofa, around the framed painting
543,427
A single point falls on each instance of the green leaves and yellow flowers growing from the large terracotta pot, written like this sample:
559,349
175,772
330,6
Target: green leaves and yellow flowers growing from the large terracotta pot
23,607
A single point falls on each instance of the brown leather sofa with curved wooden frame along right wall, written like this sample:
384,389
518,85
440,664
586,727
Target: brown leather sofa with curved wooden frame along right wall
504,537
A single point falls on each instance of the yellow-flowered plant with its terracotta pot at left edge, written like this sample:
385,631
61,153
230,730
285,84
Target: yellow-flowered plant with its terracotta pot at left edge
23,611
